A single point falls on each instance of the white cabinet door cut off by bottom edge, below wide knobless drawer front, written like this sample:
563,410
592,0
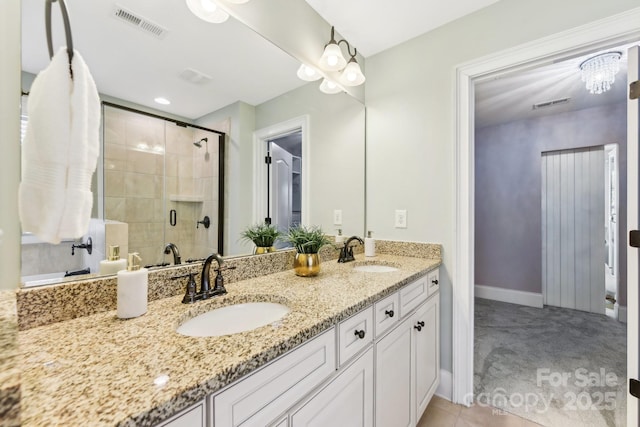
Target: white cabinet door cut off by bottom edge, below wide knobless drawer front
345,401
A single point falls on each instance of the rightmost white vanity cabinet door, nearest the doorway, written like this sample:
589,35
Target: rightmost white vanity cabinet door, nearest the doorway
426,353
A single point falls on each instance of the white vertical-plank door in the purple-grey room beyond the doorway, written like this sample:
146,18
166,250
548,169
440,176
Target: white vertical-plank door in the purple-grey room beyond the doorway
573,217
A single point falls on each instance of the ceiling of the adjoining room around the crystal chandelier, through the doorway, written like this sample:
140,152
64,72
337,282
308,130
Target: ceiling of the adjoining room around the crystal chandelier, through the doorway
509,97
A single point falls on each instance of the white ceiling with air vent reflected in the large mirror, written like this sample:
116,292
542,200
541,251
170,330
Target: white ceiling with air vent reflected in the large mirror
132,65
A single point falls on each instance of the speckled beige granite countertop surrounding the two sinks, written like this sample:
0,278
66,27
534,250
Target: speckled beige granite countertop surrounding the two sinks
100,370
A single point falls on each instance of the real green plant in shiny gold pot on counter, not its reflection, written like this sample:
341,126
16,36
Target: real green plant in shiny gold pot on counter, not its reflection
307,241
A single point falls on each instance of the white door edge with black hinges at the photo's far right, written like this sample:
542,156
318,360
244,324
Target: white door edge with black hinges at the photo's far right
633,139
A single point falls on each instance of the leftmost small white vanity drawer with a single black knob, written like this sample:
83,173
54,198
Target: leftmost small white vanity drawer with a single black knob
354,334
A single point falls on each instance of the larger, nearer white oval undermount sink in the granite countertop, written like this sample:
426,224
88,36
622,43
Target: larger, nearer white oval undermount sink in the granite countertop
233,319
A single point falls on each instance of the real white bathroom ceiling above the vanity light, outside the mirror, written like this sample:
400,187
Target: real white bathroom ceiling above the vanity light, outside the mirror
375,25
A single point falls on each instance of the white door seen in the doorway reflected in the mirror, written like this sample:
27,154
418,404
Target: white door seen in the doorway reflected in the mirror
281,200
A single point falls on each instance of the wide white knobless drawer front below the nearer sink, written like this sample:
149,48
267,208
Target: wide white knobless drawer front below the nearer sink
267,393
